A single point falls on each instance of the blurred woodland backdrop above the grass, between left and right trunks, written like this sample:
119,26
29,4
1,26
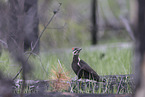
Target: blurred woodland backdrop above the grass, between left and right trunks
72,25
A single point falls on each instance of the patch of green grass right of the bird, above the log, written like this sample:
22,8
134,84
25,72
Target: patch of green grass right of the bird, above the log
115,61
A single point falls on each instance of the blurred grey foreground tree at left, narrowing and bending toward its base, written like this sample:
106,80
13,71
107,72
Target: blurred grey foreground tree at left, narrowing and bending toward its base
15,35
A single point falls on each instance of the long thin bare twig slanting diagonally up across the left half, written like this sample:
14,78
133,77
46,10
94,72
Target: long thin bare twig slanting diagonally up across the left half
55,12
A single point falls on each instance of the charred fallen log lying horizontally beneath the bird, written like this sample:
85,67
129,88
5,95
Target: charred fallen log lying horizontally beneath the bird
110,84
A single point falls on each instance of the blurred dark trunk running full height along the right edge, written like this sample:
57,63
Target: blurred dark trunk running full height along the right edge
140,51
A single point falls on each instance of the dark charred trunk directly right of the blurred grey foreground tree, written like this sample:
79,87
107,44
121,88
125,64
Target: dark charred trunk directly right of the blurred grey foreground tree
31,26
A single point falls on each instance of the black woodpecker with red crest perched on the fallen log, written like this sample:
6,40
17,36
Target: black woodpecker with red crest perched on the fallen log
81,68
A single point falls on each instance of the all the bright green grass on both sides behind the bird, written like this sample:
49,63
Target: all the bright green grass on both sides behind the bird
115,61
